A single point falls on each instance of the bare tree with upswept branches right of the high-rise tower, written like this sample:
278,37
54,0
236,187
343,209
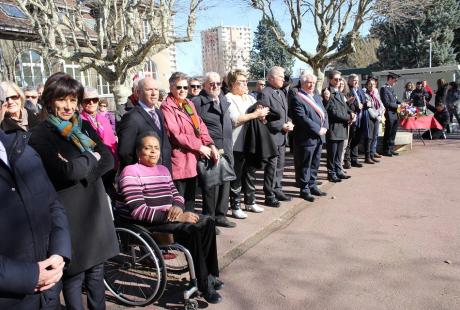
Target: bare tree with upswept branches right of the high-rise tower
332,20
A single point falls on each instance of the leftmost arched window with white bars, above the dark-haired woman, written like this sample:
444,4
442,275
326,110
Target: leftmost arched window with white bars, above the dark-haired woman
30,69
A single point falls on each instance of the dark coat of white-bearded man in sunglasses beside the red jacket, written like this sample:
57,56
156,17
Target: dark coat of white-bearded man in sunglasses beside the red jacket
217,120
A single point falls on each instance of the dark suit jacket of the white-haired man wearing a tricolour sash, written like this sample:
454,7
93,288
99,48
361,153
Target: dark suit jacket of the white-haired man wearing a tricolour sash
307,121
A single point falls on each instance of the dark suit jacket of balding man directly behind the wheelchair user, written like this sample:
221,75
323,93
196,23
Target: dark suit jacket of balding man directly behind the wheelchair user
134,123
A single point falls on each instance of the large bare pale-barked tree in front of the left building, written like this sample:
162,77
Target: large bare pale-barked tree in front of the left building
110,36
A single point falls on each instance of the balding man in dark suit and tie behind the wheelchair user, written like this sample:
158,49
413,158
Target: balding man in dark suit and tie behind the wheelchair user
142,118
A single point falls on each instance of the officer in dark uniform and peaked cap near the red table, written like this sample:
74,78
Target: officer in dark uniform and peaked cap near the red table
391,104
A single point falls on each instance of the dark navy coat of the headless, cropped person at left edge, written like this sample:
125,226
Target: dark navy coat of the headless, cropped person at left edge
33,224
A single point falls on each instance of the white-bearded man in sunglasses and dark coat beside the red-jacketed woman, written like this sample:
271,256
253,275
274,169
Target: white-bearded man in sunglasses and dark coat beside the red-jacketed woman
212,106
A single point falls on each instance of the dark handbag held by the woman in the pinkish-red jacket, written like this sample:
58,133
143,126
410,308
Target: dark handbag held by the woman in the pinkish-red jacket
211,175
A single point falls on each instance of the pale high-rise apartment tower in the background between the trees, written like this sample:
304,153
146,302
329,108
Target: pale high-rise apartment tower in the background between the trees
225,48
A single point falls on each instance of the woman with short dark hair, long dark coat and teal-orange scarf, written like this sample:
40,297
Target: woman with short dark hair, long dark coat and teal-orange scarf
75,159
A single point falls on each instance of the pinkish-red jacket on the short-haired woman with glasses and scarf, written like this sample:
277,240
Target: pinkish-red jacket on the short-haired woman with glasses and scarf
184,143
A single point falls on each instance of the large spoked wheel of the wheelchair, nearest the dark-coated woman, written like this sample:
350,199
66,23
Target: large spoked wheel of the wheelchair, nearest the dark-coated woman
136,276
